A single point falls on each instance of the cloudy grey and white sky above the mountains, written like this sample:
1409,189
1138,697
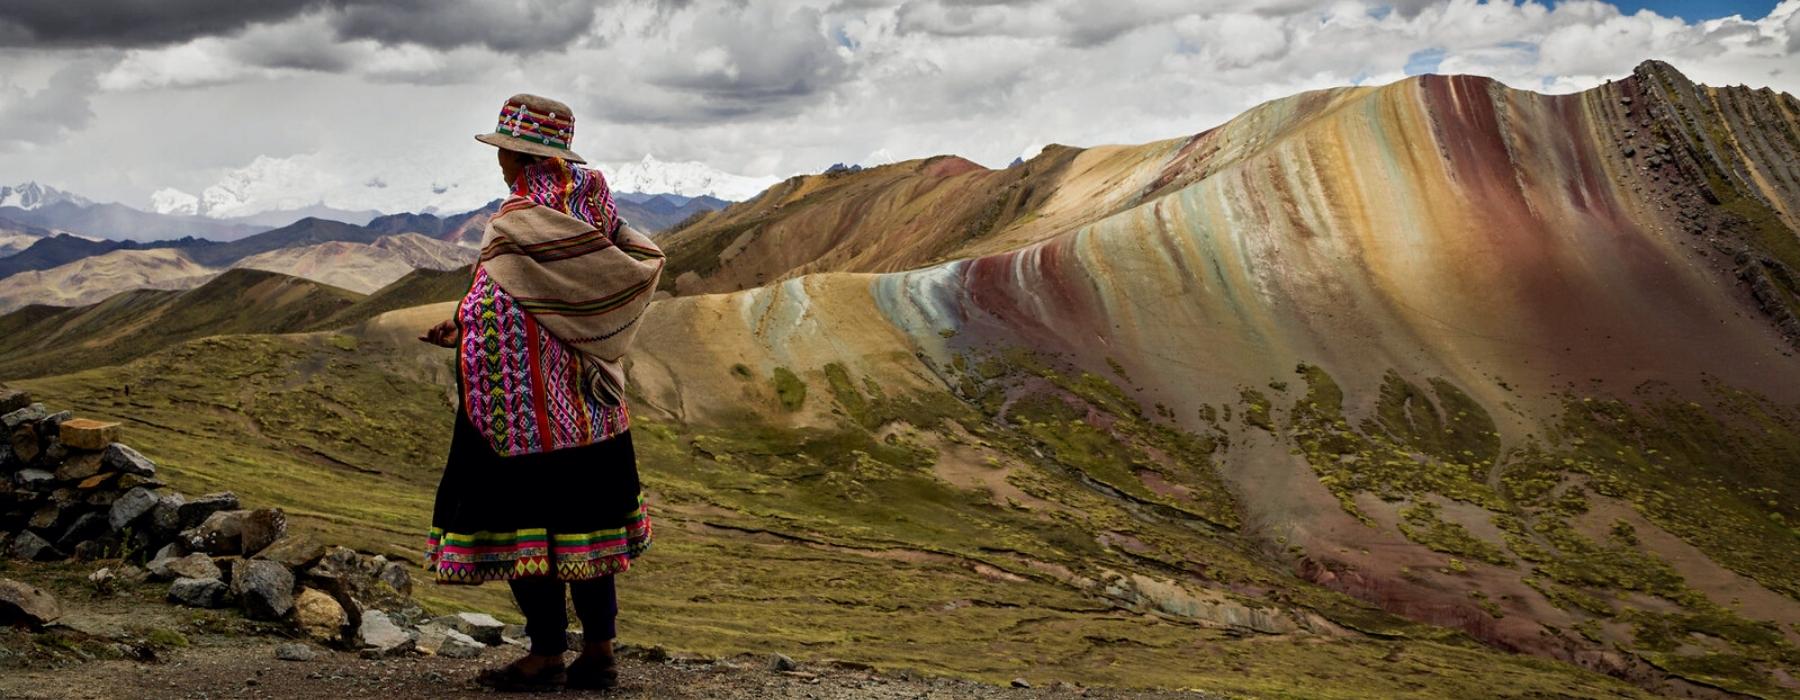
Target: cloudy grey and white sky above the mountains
372,105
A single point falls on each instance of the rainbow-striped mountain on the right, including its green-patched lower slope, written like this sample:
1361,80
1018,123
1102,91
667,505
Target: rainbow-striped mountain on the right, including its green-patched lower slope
1531,255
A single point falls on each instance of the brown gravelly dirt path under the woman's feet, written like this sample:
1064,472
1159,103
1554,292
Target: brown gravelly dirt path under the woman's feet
247,669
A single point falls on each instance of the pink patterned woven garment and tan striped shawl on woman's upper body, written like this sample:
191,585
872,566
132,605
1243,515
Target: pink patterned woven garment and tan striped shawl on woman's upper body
557,298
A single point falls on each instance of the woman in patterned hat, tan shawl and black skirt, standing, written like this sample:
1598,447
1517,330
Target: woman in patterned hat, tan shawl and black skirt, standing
541,489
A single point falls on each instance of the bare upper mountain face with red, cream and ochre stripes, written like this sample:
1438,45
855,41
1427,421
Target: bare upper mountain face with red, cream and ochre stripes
1441,226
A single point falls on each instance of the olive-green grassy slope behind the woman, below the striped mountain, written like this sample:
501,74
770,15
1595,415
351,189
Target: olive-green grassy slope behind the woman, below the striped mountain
823,543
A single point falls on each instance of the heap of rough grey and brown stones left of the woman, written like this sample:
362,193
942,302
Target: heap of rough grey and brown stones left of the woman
71,490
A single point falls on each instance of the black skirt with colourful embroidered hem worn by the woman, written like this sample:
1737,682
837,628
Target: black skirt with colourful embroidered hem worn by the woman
573,514
